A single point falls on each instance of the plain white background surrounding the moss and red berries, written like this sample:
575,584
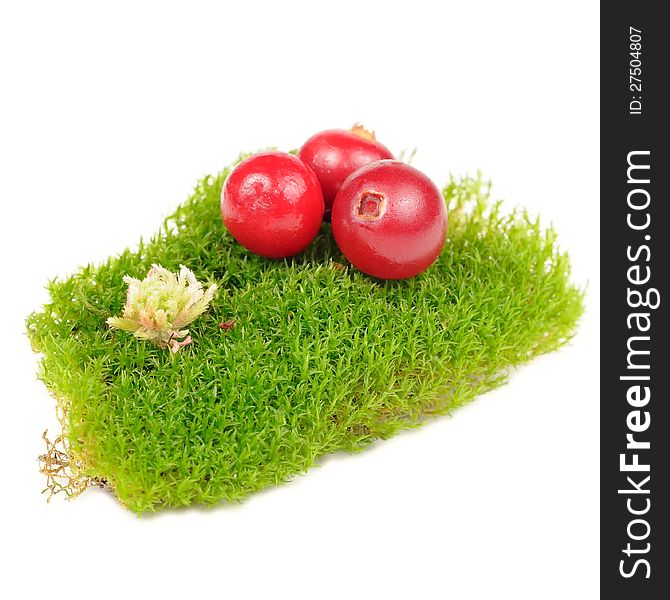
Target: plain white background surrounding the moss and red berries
109,114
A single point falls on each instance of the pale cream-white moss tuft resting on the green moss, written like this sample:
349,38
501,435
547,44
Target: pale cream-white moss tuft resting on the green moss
159,306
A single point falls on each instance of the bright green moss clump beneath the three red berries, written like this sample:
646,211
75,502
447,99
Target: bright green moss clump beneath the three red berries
320,358
